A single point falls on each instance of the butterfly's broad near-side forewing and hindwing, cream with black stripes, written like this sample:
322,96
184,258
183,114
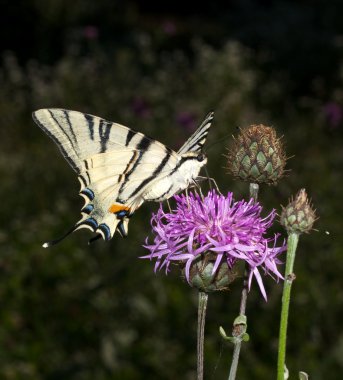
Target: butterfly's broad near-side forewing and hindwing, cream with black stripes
114,164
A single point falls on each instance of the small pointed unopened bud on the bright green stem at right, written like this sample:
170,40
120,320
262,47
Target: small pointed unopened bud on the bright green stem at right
298,216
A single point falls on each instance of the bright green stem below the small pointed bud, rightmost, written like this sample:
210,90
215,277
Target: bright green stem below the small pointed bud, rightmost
292,243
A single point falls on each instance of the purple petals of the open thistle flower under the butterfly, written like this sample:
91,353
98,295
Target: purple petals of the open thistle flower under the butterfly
230,230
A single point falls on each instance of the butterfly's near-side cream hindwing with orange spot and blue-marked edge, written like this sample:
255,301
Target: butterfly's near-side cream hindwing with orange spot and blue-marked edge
114,182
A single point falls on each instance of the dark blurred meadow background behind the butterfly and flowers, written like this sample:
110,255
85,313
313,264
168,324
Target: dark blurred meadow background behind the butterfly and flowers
99,312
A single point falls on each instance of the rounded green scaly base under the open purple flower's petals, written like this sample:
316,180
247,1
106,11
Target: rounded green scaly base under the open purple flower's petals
202,277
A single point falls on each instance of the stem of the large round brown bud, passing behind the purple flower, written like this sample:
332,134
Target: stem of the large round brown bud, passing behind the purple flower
237,330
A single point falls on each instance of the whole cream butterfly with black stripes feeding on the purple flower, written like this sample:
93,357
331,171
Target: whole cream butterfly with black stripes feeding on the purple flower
119,168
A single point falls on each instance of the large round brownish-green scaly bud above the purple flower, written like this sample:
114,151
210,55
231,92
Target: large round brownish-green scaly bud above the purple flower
257,155
